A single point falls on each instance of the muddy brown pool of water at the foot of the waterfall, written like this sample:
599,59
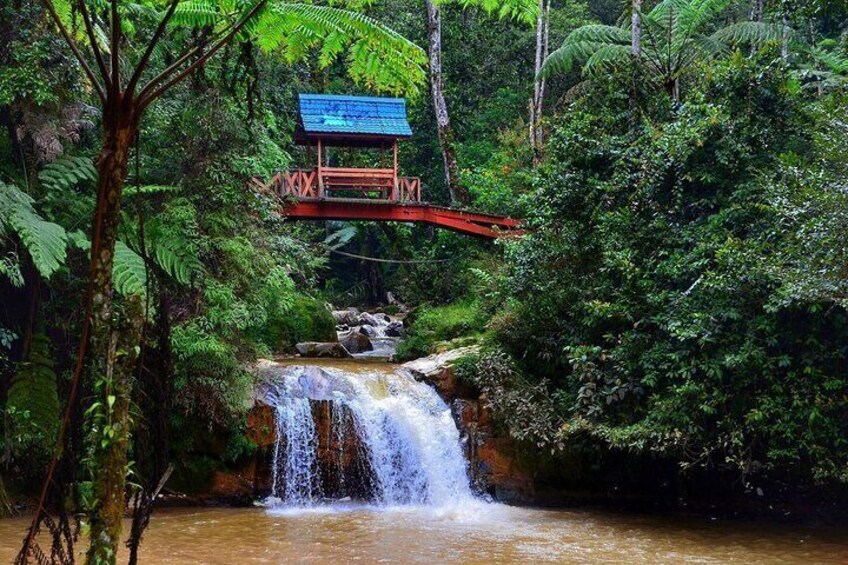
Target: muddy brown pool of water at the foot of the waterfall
479,534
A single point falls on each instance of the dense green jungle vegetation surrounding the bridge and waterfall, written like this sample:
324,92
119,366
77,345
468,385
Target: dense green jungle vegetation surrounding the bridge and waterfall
679,295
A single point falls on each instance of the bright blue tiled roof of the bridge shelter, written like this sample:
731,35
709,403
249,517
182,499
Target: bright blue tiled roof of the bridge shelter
353,115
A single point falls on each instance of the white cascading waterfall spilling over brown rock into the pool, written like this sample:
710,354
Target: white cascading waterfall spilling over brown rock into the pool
372,435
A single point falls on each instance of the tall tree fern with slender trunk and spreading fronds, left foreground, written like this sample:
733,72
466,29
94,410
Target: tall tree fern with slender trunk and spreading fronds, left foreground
117,79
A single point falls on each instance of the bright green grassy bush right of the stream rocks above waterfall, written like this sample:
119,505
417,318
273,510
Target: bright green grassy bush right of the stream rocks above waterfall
435,324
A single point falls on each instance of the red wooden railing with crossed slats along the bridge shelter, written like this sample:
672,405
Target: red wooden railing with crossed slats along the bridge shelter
321,184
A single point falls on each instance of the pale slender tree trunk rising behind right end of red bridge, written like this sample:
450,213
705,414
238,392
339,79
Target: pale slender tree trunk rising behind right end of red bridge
458,193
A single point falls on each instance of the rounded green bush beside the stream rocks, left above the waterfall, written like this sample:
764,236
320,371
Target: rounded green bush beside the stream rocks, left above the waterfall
307,320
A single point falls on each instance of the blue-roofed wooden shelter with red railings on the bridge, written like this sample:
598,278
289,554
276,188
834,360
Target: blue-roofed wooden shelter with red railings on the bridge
352,121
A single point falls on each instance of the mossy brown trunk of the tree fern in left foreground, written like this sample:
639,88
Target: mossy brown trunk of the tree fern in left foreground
114,340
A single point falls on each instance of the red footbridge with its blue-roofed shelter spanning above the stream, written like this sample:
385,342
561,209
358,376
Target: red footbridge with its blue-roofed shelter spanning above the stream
356,193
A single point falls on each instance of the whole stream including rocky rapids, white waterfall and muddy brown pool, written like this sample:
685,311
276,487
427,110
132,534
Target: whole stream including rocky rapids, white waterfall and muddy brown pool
368,467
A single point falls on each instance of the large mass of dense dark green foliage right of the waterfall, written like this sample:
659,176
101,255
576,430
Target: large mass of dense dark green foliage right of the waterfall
651,299
